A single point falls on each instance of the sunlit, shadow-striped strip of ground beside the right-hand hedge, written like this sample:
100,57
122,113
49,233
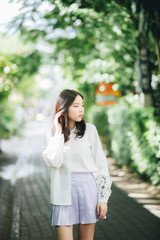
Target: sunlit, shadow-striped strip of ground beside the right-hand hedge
143,192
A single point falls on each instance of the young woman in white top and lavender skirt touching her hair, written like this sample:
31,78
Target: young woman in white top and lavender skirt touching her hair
80,181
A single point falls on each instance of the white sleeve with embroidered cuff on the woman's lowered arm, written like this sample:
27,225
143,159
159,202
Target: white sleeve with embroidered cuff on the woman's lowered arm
103,179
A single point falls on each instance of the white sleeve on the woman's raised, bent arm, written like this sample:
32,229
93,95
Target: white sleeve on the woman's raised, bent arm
53,151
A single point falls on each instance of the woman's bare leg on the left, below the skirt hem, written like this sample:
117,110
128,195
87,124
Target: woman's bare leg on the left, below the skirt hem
64,232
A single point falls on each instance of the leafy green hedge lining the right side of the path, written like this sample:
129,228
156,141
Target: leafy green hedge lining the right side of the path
134,133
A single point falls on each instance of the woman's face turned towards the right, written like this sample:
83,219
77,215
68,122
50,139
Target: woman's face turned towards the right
76,110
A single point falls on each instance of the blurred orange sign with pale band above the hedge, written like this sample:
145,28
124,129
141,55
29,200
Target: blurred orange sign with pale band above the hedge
105,95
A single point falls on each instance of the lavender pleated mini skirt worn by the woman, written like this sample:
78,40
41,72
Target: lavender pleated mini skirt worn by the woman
84,199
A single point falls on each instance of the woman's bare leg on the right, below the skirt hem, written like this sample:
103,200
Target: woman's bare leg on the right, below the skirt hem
86,231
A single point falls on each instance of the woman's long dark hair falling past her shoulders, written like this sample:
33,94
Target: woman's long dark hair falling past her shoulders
64,101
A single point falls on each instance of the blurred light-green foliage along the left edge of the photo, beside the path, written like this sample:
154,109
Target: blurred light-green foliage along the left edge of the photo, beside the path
17,86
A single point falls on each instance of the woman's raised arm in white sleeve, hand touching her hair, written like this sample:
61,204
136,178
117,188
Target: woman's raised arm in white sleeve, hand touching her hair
53,152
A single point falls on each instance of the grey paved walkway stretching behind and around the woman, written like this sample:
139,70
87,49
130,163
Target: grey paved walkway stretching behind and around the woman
25,203
